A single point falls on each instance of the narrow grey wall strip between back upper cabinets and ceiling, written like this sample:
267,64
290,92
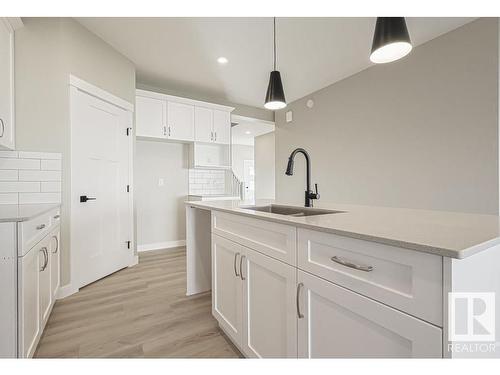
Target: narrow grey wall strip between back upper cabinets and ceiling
239,109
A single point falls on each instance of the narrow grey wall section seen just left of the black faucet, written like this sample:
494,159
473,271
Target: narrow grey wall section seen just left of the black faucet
264,167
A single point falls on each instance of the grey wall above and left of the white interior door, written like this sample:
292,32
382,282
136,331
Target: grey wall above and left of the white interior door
47,51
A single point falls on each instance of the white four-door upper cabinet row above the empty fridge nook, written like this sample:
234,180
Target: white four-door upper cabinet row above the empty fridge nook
178,119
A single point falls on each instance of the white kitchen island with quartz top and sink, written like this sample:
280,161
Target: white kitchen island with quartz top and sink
363,281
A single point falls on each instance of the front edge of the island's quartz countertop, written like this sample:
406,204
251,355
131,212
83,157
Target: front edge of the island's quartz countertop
444,252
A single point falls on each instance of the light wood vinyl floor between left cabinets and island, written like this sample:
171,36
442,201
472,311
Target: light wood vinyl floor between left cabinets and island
140,311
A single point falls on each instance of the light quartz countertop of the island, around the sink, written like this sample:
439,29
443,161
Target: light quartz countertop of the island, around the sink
449,234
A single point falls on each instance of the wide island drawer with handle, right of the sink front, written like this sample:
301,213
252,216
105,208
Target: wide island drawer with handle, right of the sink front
407,280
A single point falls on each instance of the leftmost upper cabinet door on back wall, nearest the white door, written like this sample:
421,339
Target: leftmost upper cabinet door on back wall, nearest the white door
150,117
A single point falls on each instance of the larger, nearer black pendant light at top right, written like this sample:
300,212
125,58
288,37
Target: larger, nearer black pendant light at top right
391,40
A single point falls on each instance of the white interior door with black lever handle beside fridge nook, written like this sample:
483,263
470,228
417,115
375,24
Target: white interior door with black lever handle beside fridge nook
101,209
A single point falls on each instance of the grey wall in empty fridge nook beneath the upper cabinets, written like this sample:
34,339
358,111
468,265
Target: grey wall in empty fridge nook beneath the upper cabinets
160,209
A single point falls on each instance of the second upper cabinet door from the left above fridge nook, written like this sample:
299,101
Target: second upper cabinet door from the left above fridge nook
180,121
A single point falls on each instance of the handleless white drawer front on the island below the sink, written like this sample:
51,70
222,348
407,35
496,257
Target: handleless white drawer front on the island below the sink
273,239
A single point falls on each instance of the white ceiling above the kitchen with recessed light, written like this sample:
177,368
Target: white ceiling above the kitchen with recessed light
181,53
